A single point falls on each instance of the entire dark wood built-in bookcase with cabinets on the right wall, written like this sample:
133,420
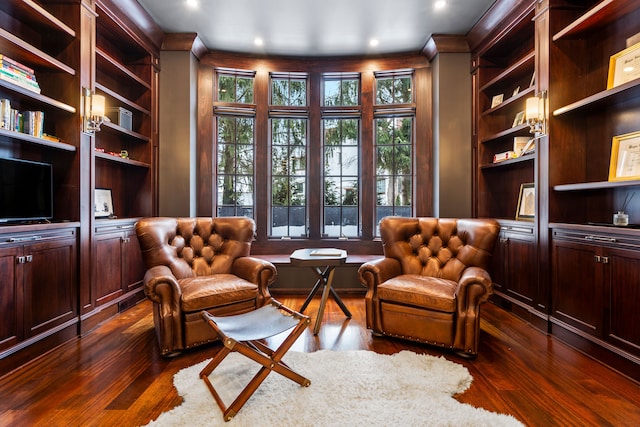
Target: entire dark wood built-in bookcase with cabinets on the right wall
584,270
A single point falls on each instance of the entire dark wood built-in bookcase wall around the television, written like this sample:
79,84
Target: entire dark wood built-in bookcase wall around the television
61,277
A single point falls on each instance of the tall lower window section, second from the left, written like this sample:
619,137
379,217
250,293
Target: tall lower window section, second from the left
288,177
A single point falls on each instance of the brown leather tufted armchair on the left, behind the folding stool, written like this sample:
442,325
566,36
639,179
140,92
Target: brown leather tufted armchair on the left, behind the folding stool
196,264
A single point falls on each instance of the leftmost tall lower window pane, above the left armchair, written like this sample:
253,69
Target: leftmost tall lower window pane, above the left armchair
234,168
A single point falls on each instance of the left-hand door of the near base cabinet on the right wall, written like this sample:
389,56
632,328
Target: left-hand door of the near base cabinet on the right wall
578,286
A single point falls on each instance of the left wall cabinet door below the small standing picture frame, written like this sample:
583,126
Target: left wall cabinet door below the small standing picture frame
107,284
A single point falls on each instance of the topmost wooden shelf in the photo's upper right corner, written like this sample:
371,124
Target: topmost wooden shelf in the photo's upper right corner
602,14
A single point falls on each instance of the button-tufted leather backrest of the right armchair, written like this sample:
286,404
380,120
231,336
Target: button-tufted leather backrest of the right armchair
437,247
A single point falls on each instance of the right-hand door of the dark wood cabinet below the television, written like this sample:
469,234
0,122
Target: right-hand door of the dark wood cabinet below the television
50,284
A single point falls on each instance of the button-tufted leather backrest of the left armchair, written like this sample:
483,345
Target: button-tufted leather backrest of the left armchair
193,247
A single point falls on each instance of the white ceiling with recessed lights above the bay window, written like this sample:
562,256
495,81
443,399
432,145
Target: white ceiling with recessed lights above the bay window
316,27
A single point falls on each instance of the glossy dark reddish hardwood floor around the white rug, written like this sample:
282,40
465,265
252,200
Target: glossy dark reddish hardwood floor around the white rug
115,376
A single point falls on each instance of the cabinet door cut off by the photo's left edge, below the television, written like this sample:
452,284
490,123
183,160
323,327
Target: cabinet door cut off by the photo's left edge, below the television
10,295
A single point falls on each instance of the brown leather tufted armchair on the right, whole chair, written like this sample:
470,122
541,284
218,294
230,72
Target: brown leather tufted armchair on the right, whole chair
432,280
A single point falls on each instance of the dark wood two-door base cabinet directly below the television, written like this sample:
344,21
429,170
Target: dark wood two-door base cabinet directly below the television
39,283
